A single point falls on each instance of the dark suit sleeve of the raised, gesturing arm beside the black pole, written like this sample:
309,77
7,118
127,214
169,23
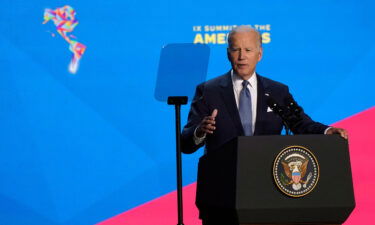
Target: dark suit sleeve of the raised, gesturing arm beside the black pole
198,111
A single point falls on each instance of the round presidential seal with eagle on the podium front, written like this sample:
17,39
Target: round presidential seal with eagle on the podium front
296,171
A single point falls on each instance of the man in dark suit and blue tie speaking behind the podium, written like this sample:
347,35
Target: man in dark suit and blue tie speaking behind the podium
234,104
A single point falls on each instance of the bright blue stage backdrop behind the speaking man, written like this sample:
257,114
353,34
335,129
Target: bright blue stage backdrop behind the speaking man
78,149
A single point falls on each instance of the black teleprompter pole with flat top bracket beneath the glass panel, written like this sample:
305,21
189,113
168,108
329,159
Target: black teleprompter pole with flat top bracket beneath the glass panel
177,101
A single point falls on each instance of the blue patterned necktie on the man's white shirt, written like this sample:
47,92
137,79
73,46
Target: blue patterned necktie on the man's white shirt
246,113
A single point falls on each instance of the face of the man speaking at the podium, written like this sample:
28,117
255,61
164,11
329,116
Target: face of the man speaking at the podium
244,53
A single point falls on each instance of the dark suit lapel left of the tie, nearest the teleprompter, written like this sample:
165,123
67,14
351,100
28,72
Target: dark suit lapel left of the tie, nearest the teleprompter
227,94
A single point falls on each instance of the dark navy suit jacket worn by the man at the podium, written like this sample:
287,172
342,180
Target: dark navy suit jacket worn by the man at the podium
218,94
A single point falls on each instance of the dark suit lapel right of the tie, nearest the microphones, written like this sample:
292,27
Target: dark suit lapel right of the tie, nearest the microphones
261,104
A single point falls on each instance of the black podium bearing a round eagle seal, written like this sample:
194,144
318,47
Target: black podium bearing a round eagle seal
239,181
